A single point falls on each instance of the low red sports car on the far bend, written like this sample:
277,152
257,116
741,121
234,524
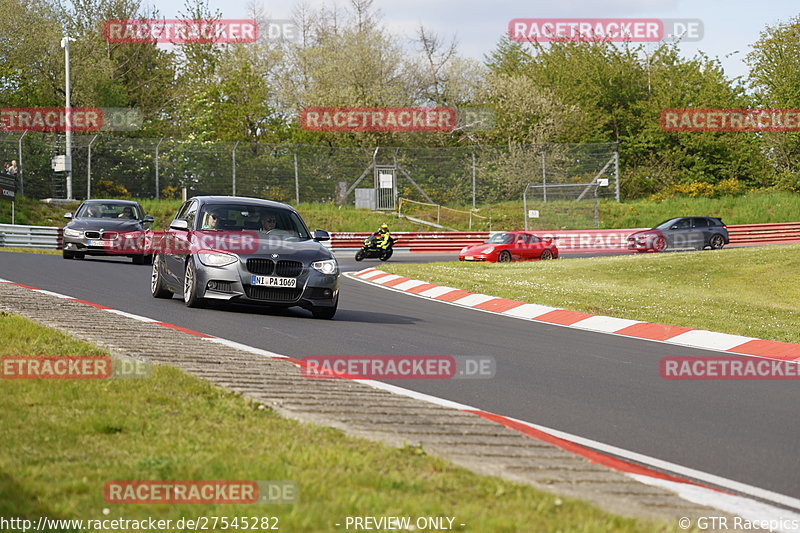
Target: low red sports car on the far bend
510,246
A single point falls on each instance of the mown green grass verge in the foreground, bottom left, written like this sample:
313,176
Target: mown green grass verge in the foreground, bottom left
63,439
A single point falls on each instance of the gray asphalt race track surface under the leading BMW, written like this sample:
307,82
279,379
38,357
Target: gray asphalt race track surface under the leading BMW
598,386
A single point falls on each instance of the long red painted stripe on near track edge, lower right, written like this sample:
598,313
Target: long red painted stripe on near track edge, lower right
591,455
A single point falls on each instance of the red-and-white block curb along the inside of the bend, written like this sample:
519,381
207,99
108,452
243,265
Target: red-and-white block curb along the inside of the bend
693,338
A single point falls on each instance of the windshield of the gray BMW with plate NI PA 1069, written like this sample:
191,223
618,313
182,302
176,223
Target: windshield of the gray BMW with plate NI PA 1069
271,221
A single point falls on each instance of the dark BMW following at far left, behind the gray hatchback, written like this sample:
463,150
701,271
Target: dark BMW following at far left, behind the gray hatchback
97,224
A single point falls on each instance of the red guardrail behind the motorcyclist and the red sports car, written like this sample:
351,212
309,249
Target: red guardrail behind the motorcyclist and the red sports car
570,241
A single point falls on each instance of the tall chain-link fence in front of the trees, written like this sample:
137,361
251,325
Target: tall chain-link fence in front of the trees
105,166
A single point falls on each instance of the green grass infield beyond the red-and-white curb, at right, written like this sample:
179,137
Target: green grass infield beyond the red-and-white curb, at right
745,291
